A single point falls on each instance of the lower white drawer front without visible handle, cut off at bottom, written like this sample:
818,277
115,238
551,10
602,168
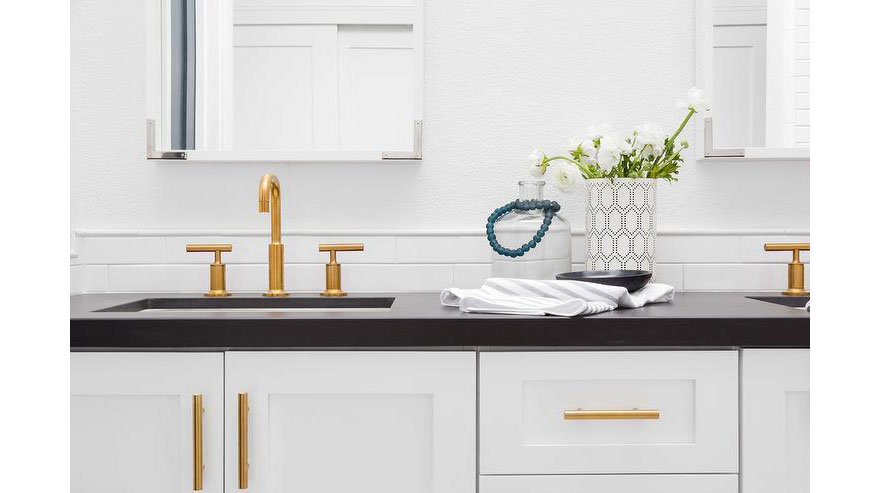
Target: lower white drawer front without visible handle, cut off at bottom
654,483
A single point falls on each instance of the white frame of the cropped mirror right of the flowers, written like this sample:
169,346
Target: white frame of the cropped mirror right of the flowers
704,68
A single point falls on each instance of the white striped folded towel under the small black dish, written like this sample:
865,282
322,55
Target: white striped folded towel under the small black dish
563,298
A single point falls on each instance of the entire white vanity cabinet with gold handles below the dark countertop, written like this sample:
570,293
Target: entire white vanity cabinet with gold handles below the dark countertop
722,421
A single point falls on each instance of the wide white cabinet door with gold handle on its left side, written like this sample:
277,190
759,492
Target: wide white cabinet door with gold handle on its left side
341,421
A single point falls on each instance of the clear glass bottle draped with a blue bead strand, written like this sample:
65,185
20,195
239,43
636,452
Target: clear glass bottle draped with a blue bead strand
552,255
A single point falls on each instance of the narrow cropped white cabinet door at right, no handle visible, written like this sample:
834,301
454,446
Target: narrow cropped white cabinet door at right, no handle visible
776,421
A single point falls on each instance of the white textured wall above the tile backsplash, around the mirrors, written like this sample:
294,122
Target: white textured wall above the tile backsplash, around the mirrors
501,77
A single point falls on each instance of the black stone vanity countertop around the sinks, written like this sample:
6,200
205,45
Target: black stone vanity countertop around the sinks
418,321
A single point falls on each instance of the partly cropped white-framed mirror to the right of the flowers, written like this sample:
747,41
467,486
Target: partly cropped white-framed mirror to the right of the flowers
753,58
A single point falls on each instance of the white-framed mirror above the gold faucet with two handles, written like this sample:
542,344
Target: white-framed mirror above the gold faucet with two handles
284,80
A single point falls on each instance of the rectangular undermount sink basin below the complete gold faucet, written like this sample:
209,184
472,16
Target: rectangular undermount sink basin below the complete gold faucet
254,304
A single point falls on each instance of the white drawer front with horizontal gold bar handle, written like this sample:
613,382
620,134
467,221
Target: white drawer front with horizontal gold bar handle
524,396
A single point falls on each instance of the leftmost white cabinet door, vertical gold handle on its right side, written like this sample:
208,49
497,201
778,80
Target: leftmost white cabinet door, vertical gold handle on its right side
132,422
